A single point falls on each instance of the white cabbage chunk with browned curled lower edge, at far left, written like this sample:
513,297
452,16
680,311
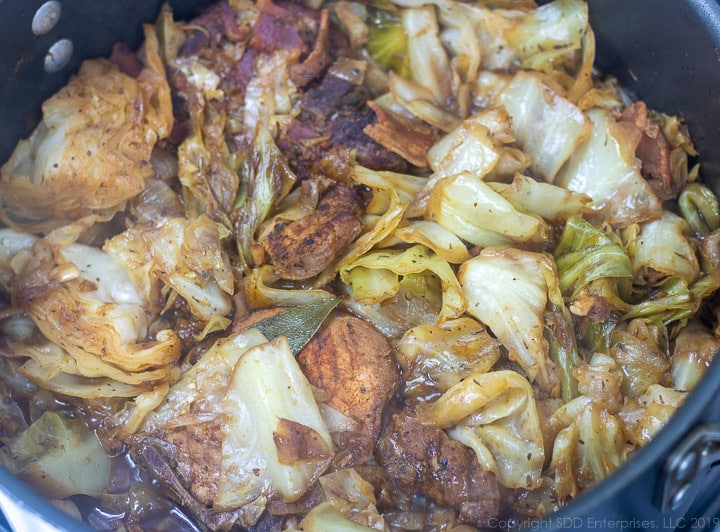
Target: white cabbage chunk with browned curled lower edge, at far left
93,311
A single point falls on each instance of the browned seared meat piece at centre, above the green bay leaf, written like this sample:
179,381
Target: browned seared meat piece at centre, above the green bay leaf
304,248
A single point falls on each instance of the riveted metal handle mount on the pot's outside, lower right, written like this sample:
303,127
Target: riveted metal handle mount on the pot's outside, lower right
688,467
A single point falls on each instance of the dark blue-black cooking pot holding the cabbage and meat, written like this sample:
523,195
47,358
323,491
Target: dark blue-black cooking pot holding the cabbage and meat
666,51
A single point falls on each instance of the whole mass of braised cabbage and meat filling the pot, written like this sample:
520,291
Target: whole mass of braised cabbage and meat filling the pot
535,271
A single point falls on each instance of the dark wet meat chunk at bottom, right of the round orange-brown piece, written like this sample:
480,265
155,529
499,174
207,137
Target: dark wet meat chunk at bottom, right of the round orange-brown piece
421,458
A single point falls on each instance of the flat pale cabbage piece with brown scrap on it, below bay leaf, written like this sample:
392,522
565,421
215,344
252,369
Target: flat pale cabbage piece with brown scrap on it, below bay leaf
275,437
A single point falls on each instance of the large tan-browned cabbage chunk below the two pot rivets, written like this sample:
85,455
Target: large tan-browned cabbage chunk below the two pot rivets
92,161
